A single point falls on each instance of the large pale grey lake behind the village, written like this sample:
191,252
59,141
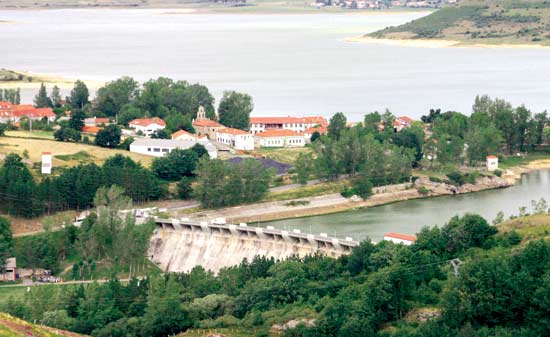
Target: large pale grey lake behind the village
291,64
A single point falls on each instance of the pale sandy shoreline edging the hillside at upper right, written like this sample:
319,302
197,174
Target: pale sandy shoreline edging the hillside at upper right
425,43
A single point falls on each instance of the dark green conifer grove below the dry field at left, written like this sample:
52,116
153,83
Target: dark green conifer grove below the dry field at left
74,188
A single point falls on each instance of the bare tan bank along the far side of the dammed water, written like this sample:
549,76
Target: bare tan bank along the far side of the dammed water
335,203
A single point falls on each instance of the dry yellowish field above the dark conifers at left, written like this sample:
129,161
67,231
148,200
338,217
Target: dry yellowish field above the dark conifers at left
81,153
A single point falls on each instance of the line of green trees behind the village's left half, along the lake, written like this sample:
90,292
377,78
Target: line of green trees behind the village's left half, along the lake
125,99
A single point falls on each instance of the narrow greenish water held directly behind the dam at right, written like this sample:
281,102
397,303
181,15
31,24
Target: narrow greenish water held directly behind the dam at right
411,215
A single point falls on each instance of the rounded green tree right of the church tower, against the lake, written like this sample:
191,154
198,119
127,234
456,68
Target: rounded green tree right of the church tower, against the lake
235,109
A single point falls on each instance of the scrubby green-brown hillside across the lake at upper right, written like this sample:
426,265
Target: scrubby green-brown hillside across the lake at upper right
480,21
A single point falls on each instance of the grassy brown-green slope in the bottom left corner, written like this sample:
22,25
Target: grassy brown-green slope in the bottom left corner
14,327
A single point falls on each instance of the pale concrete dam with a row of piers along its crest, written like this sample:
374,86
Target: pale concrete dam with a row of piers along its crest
179,245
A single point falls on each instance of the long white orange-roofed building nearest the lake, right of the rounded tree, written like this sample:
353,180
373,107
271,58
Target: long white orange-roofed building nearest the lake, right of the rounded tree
297,124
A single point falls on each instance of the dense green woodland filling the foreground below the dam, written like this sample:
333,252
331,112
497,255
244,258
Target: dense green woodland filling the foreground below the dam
500,289
